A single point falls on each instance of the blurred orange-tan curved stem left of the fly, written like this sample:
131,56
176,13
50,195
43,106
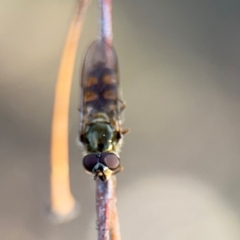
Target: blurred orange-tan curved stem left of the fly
63,205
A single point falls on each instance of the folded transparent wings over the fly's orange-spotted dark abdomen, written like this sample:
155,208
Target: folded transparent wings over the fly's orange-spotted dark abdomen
99,93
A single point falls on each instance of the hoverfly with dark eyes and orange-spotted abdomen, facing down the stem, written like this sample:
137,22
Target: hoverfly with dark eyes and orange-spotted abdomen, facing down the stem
101,108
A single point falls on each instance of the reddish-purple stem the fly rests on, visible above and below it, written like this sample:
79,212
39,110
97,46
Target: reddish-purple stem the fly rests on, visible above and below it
107,217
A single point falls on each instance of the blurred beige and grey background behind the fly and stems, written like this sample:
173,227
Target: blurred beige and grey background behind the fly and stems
180,67
